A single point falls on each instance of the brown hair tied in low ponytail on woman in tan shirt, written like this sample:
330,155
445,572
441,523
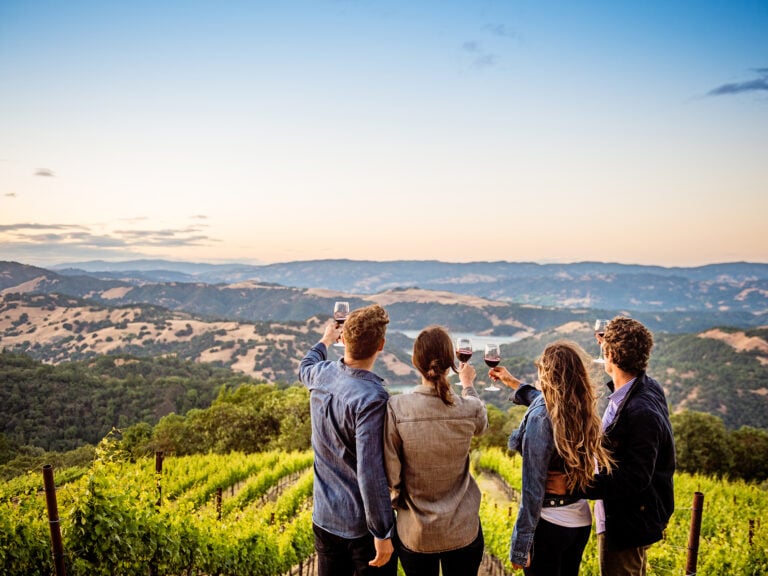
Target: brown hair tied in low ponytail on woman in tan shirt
433,357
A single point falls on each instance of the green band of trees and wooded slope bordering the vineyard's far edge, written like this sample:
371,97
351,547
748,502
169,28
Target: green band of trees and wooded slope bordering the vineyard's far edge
209,410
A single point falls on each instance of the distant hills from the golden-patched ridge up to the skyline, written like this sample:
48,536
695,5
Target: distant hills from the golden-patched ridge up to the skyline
493,298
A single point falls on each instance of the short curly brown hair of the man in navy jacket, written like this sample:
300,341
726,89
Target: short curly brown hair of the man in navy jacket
629,344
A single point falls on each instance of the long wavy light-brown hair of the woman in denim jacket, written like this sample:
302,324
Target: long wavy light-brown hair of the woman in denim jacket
572,405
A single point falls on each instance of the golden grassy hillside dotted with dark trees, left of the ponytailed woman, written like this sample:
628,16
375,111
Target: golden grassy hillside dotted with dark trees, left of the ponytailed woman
57,329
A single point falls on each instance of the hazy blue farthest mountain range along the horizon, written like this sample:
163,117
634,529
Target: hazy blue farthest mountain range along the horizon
737,286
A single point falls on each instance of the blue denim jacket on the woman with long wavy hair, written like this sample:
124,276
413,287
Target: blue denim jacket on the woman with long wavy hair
534,440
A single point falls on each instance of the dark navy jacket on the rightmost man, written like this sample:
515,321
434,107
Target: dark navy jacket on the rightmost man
638,494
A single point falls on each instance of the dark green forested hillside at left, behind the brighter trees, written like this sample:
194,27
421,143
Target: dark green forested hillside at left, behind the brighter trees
62,407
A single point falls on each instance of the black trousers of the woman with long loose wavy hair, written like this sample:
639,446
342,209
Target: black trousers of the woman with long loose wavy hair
557,549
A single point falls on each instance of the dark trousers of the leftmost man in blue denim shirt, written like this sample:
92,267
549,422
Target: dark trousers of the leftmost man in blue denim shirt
337,556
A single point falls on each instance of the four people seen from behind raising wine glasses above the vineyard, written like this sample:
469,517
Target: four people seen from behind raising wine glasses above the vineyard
392,473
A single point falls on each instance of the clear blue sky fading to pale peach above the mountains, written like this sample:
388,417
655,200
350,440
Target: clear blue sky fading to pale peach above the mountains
263,132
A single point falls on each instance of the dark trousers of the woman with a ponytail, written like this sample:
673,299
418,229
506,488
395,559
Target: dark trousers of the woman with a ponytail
460,562
